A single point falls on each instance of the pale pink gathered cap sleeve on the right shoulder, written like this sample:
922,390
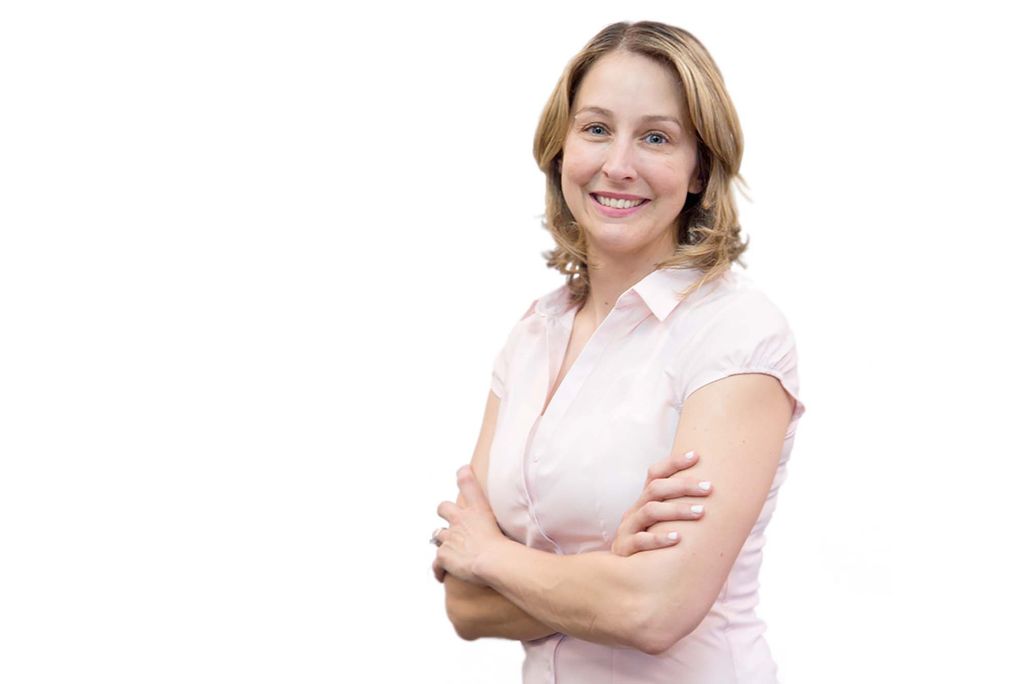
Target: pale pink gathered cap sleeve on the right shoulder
750,335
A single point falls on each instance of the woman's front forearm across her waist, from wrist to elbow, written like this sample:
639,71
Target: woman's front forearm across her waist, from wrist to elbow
596,596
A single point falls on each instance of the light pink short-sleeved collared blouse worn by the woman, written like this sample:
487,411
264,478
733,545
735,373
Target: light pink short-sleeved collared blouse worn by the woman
561,483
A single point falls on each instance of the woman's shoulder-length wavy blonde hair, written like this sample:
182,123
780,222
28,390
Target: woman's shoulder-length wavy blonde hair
708,233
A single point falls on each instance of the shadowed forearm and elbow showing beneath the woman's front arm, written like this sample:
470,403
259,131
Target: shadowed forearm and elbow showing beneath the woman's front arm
479,612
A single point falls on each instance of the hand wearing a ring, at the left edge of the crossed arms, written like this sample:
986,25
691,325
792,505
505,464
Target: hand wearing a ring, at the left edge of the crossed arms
473,532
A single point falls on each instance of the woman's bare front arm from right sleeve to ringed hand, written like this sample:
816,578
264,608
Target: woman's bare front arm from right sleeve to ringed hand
651,601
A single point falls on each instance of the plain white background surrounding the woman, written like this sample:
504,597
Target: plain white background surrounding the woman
257,261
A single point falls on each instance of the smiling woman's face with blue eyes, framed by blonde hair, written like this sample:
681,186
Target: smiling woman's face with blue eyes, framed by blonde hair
628,160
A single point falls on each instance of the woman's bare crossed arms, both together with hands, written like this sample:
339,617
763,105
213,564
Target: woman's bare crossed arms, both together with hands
497,587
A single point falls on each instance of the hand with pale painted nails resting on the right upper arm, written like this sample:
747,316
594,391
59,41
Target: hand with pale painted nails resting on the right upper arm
660,501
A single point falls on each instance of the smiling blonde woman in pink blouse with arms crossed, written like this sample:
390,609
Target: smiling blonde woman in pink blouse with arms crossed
655,346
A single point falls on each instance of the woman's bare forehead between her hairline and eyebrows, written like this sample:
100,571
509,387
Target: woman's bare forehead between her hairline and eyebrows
631,85
